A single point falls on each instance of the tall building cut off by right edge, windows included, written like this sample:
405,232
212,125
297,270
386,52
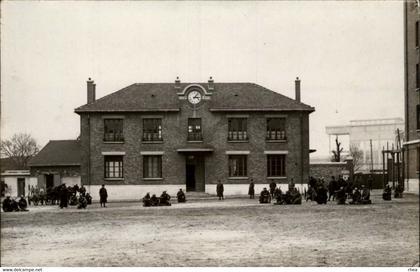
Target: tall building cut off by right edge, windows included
412,95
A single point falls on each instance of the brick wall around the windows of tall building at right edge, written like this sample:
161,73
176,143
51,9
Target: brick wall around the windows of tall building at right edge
412,98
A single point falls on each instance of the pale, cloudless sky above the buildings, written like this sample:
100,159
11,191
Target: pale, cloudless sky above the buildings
349,56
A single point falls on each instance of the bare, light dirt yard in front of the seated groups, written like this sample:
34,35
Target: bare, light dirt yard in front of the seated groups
233,232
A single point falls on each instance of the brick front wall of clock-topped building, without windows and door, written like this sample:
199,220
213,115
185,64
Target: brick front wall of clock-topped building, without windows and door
215,133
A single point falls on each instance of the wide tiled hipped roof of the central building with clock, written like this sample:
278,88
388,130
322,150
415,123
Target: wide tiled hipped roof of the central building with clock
163,97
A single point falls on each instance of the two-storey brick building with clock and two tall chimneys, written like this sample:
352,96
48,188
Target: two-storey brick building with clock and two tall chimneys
164,136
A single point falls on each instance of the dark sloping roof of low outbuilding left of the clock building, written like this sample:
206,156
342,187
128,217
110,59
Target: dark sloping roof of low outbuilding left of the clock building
58,153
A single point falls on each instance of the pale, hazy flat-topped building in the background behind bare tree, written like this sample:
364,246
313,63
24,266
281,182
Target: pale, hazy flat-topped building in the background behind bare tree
370,137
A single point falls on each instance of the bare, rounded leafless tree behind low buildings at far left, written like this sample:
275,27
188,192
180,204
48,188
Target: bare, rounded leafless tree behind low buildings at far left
20,149
